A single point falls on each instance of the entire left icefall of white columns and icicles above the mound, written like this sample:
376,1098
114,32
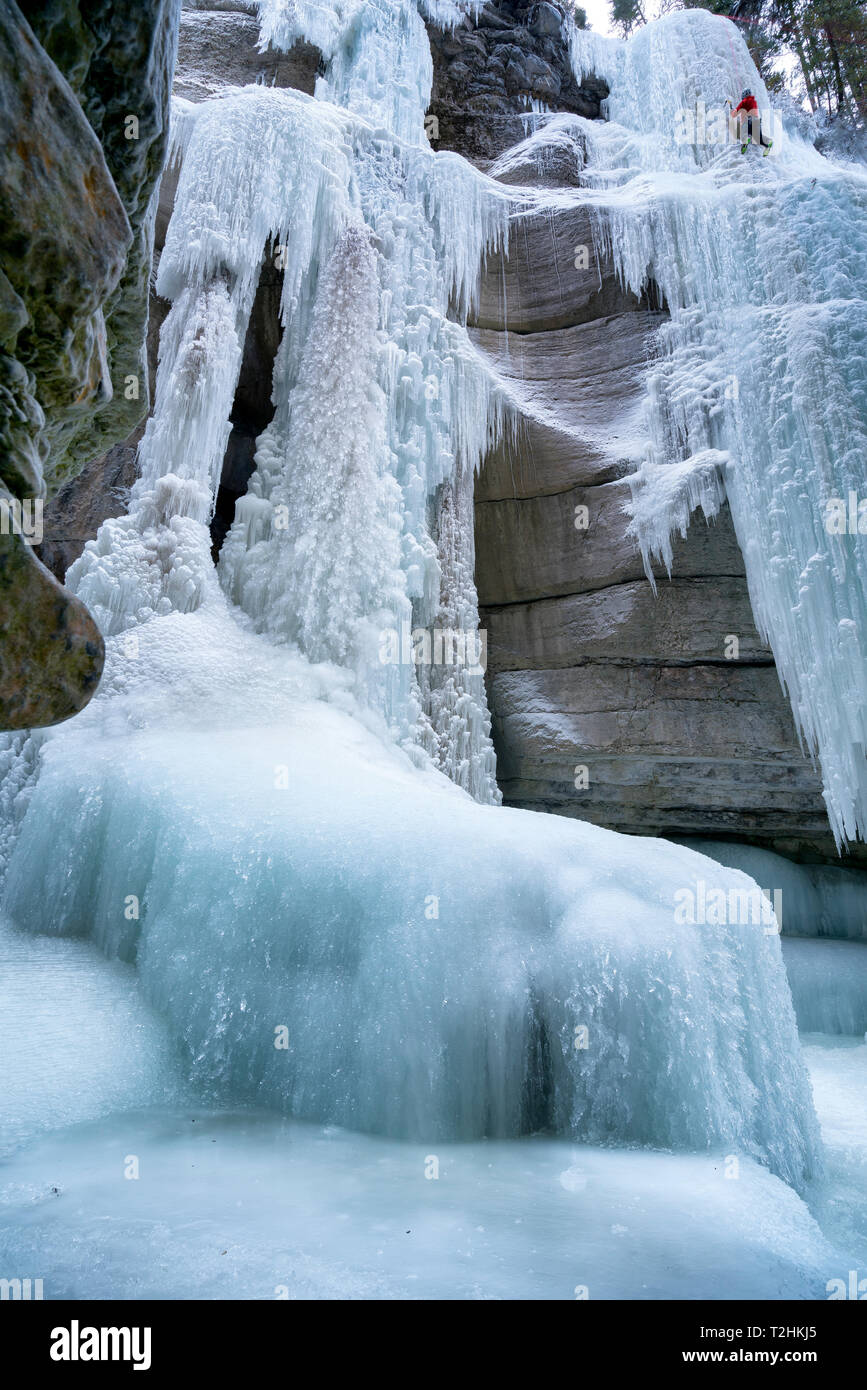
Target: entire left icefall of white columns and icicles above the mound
379,240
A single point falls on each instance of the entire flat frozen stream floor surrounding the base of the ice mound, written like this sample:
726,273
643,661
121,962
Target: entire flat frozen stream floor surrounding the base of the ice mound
248,1206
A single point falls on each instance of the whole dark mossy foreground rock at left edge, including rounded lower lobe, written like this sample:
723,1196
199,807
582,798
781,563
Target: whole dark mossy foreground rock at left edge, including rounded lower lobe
84,116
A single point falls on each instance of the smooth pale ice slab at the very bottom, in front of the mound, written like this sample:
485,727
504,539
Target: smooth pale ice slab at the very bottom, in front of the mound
245,1206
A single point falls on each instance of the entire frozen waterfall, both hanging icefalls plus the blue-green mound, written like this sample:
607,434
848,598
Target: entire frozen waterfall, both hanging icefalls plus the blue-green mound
297,840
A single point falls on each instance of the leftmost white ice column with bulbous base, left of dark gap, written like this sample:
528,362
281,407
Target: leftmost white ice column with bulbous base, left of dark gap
158,559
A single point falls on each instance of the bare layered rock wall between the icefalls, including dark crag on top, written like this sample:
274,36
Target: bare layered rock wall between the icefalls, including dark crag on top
609,704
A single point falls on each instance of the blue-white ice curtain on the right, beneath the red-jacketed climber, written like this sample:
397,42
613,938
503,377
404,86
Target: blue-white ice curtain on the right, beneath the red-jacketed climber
761,391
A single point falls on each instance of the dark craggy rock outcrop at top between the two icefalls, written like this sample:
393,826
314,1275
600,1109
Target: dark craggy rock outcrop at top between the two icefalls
487,73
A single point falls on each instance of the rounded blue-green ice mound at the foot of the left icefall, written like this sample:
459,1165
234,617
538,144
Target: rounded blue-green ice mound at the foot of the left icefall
341,935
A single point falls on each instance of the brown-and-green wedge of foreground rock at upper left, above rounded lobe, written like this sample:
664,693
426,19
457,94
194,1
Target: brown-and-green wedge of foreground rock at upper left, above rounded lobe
63,244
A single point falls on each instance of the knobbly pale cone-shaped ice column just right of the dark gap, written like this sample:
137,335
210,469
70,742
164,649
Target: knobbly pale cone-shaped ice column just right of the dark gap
322,565
